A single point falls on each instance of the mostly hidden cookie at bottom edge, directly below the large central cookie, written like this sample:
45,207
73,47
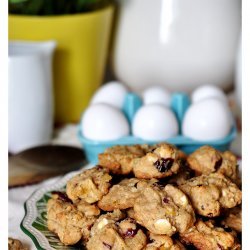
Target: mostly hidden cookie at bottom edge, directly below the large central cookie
157,241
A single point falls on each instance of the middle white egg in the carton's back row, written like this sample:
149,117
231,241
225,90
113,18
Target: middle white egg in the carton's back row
156,95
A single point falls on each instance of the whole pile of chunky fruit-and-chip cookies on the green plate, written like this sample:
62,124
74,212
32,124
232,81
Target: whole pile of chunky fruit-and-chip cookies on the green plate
151,197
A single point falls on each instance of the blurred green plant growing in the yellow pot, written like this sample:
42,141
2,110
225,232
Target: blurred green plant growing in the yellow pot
54,7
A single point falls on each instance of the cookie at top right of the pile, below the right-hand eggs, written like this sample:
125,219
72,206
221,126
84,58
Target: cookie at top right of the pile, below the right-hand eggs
206,160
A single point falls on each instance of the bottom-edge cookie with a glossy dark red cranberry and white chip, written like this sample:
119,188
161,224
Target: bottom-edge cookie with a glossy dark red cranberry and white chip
110,232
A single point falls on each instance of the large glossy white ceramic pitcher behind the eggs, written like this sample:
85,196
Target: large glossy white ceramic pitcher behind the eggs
180,44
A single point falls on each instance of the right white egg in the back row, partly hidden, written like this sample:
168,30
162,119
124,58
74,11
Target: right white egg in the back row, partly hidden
208,91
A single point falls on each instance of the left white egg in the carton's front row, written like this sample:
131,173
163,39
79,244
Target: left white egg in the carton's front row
103,122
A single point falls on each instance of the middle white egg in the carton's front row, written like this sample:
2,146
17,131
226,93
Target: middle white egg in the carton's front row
154,122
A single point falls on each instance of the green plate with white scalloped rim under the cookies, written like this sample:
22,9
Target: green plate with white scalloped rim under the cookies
34,223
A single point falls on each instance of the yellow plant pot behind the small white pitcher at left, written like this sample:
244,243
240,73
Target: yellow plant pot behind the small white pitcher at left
80,57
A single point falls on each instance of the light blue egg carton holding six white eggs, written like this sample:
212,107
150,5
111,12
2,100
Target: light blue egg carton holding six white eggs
179,104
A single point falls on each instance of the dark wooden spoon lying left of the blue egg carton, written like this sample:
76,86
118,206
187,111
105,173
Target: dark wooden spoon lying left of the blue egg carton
36,164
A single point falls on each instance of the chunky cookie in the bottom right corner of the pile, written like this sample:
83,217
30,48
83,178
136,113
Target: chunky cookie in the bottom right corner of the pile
205,236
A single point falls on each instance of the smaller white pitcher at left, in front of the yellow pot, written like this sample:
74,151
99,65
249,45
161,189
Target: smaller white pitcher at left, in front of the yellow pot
30,94
